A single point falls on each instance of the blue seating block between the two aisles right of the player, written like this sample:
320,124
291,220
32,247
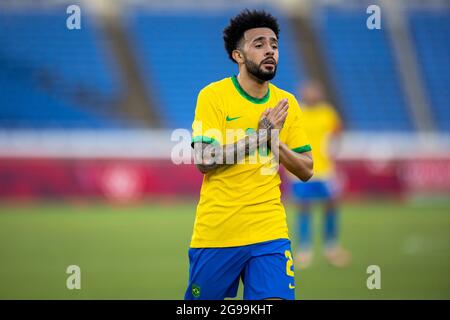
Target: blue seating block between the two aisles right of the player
363,71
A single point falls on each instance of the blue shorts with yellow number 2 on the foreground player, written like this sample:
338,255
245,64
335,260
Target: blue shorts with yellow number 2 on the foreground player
266,270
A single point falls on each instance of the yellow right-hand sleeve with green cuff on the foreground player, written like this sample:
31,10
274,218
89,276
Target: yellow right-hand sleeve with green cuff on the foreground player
296,138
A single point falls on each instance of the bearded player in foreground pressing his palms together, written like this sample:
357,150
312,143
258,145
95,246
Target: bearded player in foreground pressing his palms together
240,230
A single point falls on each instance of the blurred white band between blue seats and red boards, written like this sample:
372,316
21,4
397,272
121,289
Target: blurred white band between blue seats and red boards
158,144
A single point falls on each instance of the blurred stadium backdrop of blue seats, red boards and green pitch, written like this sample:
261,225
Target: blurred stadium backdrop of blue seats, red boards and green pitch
86,122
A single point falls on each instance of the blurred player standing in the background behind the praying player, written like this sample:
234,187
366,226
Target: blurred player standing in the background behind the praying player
322,124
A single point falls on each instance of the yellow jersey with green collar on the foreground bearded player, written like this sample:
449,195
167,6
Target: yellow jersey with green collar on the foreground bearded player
240,203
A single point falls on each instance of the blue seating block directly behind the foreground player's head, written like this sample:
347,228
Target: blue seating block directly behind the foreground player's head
176,65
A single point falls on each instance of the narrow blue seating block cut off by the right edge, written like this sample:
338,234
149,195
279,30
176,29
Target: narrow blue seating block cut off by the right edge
431,34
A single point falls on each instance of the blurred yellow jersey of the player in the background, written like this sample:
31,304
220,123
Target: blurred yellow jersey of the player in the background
320,122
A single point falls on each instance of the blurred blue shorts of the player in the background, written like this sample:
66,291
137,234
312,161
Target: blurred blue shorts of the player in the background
313,190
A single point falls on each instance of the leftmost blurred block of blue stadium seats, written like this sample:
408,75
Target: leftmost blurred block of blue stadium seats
52,77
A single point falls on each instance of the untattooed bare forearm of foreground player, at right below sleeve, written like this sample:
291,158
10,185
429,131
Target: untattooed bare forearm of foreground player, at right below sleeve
300,164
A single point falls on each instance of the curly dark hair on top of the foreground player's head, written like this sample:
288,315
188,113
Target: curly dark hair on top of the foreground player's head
244,21
